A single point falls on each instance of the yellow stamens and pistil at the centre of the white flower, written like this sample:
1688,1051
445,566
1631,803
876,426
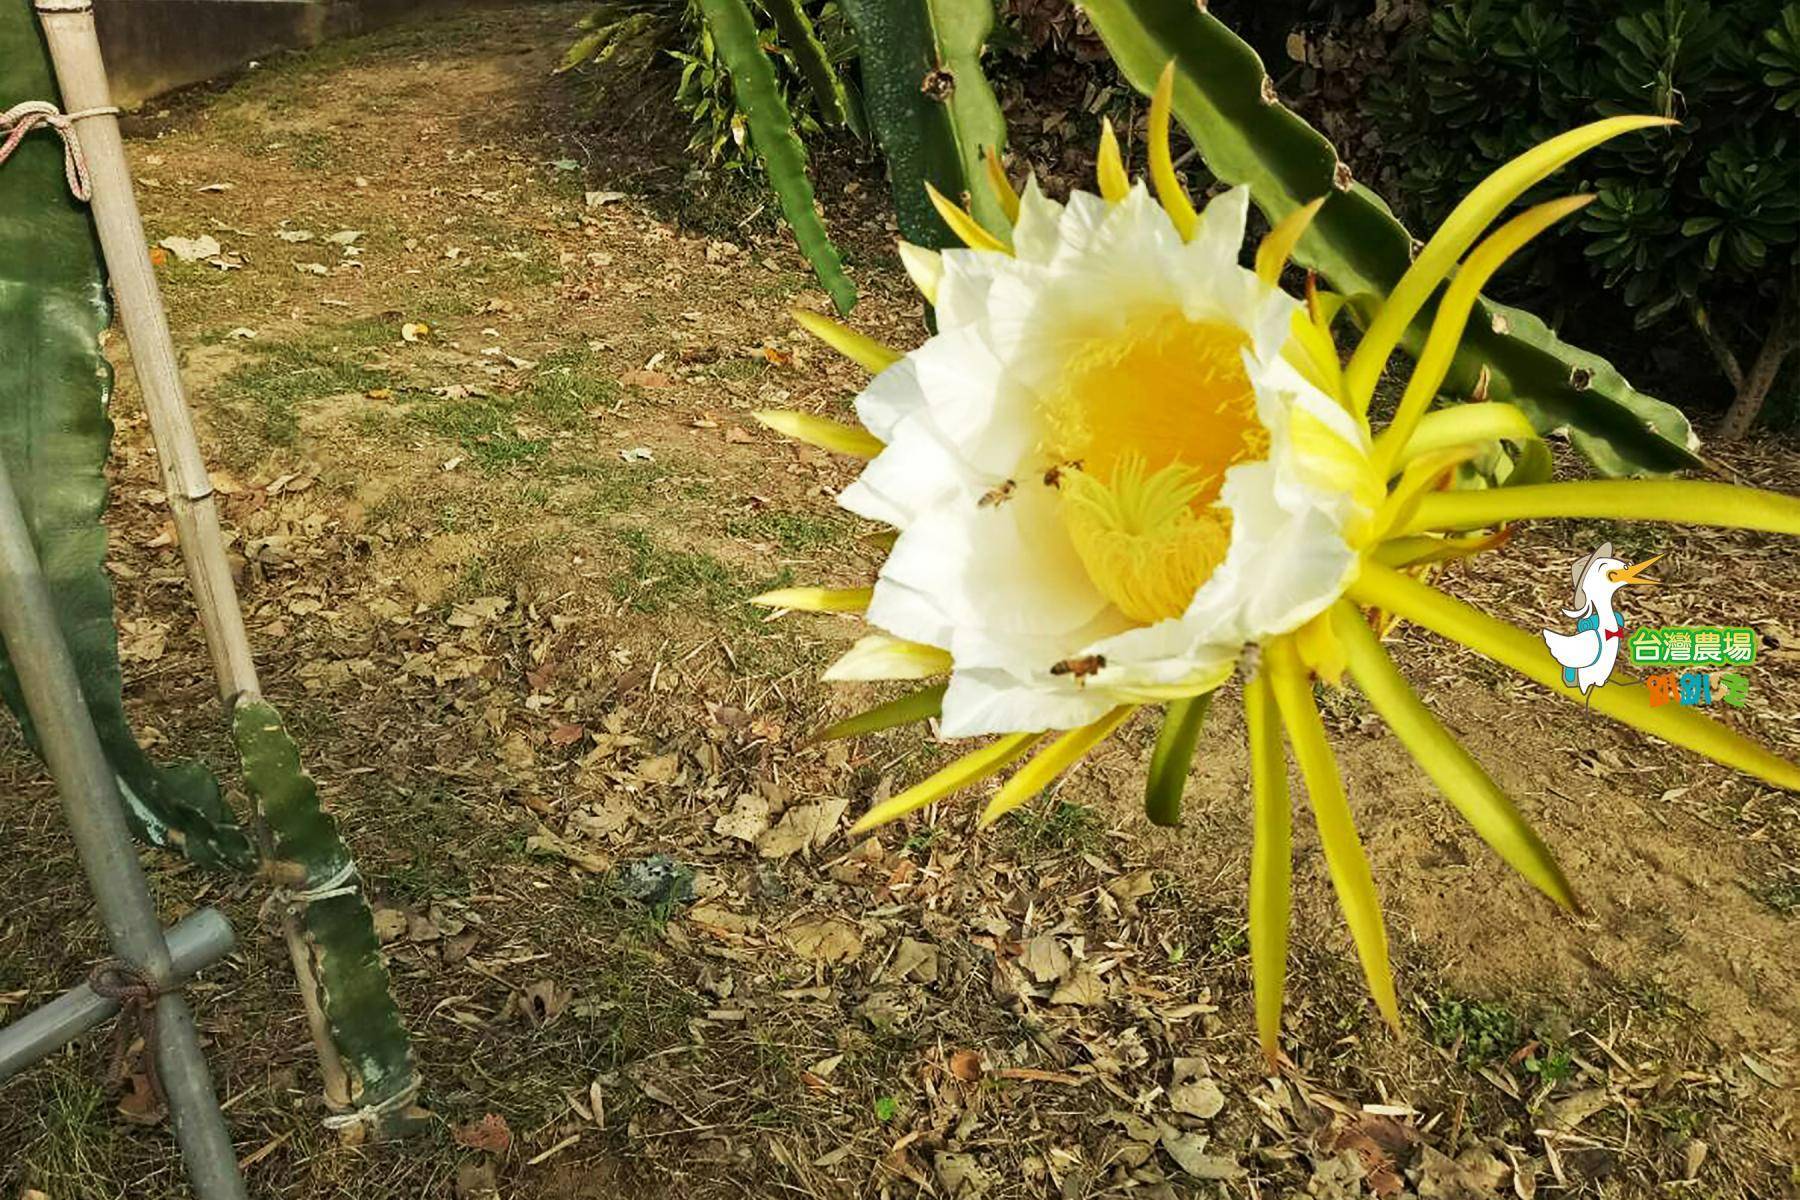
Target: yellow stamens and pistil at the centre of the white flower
1142,434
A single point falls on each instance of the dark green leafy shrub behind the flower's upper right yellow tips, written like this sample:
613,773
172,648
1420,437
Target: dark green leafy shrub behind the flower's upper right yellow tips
1691,231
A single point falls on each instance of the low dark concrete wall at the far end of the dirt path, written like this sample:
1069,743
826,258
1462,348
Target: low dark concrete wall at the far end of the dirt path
157,46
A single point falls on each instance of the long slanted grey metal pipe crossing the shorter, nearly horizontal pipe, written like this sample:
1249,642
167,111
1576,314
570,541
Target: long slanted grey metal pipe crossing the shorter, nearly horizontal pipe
96,819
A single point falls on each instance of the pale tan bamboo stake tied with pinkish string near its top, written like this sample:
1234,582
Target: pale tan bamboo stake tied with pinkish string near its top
82,76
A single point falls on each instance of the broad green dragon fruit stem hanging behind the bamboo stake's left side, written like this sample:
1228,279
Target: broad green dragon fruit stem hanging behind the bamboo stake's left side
55,433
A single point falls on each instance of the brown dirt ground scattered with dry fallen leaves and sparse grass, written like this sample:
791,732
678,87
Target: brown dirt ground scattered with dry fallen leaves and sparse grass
494,571
